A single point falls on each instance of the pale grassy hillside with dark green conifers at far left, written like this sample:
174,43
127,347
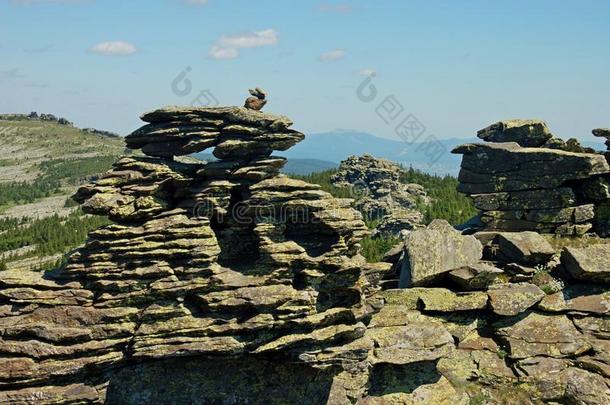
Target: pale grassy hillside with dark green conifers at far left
40,164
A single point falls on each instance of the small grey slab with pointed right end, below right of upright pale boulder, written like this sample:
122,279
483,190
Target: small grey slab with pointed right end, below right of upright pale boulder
513,299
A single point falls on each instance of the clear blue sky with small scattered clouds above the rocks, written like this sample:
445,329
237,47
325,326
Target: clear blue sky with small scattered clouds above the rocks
456,66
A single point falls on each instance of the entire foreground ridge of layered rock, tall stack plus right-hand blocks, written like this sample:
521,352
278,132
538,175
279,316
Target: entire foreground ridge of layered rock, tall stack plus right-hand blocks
229,283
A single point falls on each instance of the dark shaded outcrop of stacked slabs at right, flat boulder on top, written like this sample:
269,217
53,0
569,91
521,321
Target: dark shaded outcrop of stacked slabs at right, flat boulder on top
520,183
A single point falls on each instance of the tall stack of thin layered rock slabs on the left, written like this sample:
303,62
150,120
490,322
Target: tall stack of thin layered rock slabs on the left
222,259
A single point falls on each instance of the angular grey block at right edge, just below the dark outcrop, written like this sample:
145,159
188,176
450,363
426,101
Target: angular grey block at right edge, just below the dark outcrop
590,263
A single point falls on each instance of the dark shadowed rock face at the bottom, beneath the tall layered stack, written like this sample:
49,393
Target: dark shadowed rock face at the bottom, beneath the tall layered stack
216,381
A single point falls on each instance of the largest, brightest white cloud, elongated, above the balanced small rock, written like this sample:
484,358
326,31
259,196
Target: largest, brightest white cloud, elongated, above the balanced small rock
228,46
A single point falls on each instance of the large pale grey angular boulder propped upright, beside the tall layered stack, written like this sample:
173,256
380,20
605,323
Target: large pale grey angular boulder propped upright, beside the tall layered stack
434,251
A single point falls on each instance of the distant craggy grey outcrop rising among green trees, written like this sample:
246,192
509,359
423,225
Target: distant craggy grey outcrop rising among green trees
379,194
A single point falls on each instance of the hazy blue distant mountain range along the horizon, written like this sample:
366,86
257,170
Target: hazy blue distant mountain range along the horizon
329,148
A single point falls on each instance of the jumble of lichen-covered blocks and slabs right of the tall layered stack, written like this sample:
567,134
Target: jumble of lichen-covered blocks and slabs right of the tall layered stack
528,324
